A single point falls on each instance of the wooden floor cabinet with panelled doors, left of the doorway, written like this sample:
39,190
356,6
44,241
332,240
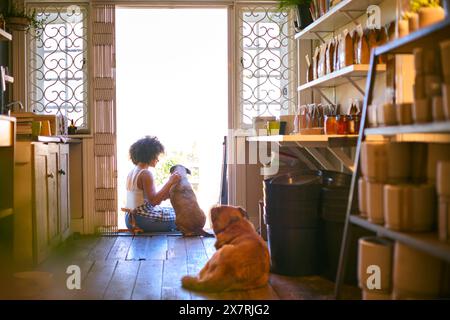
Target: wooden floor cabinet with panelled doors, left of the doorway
41,199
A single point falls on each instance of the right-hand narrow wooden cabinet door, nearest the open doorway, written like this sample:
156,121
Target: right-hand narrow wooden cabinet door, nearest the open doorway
63,189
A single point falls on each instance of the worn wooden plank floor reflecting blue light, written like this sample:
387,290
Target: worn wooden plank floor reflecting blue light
145,267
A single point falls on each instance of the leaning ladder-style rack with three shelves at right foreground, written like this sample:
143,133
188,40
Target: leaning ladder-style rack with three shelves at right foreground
430,132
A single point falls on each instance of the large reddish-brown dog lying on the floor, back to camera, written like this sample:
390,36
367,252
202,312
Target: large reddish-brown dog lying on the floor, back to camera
242,259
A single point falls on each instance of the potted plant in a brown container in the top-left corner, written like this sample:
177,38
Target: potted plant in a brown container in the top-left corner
22,19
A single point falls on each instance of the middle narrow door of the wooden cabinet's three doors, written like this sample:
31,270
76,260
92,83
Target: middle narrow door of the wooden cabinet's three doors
52,195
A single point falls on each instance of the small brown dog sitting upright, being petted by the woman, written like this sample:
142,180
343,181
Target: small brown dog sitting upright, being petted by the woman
190,218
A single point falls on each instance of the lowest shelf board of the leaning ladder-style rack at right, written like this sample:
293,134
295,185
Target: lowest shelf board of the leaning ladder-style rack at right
427,242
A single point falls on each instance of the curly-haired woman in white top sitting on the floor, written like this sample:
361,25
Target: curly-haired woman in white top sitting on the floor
143,211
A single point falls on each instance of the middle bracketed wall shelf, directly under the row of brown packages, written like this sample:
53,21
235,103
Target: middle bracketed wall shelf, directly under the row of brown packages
339,77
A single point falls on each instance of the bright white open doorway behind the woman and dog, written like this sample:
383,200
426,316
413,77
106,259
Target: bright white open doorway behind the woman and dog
172,82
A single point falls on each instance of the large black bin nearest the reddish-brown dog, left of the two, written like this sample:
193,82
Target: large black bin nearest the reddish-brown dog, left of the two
292,217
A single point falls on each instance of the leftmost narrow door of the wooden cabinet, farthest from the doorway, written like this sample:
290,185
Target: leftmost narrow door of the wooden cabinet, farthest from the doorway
40,226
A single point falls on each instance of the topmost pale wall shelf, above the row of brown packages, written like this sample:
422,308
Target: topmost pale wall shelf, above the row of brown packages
335,18
